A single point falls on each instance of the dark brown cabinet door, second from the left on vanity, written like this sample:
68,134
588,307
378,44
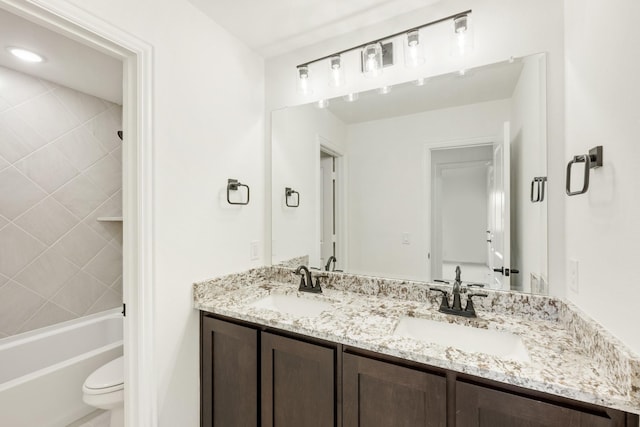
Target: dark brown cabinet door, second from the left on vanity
298,383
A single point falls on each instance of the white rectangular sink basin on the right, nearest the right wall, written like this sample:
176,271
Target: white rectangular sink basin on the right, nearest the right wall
465,338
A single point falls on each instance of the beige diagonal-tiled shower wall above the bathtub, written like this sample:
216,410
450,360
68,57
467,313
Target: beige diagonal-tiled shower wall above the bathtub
60,169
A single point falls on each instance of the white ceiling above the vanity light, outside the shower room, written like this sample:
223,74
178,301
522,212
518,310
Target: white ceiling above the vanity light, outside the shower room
274,27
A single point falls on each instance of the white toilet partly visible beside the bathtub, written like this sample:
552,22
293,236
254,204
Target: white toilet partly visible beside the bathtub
104,389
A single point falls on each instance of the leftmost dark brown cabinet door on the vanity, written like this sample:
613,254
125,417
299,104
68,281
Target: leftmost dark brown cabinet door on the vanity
229,377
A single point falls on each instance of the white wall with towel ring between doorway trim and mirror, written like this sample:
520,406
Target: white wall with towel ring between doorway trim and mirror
208,125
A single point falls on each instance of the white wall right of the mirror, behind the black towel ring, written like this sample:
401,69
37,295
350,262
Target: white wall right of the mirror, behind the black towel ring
603,232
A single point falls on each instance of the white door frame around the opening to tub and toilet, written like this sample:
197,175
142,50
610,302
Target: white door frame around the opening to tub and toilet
137,185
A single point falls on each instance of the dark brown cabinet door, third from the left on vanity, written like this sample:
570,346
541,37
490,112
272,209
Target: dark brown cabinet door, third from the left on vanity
380,394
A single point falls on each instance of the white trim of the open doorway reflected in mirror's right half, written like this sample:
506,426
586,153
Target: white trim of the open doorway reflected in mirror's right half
427,180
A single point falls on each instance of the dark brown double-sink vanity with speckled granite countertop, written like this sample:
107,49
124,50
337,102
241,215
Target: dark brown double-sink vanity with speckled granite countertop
347,365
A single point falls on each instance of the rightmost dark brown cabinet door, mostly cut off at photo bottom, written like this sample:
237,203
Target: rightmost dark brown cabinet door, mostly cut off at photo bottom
486,407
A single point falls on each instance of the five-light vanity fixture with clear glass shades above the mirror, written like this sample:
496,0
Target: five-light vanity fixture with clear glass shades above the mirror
379,53
